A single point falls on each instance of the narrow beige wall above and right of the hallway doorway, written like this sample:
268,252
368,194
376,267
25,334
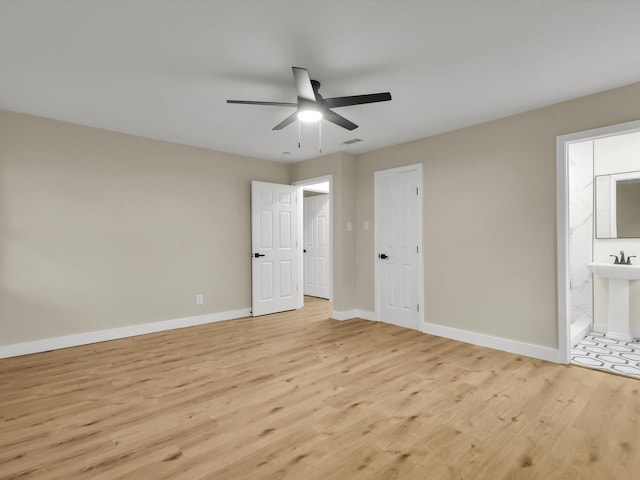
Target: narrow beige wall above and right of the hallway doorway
342,166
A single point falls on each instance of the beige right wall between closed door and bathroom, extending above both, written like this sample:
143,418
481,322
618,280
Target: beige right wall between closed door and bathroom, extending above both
490,217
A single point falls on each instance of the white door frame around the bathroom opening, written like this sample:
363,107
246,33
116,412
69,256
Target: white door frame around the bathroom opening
562,213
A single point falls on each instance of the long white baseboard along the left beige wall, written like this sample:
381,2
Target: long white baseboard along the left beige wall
86,338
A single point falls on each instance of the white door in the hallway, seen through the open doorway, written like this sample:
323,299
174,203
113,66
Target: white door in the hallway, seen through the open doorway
316,245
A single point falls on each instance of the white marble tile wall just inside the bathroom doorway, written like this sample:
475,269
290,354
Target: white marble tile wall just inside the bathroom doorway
581,230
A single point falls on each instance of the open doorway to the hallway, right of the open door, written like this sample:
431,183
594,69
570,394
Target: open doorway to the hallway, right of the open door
316,211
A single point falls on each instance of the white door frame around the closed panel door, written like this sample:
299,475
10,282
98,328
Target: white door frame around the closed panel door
407,168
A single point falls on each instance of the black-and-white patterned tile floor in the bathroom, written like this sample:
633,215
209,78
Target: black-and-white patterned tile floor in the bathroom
597,351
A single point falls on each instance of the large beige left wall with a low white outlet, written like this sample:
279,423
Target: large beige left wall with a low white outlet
101,230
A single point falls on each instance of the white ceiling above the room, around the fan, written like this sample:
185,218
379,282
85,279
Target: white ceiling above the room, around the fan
164,69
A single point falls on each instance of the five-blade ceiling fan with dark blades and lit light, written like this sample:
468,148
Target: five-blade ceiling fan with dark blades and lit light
312,107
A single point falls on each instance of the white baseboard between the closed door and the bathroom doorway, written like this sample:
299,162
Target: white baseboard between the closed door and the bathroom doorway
498,343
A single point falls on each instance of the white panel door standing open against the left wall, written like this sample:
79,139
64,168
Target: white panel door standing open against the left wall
275,251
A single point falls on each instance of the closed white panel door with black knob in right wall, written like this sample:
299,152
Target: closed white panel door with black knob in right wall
398,238
